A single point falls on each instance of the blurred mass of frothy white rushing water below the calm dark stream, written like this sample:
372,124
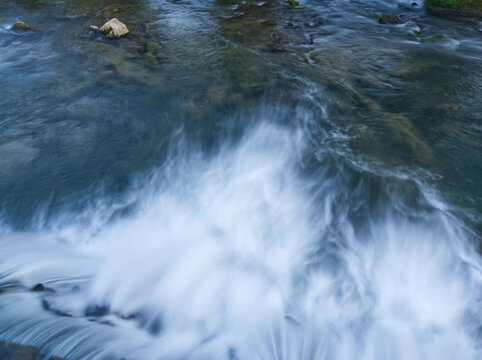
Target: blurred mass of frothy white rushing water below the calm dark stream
241,257
